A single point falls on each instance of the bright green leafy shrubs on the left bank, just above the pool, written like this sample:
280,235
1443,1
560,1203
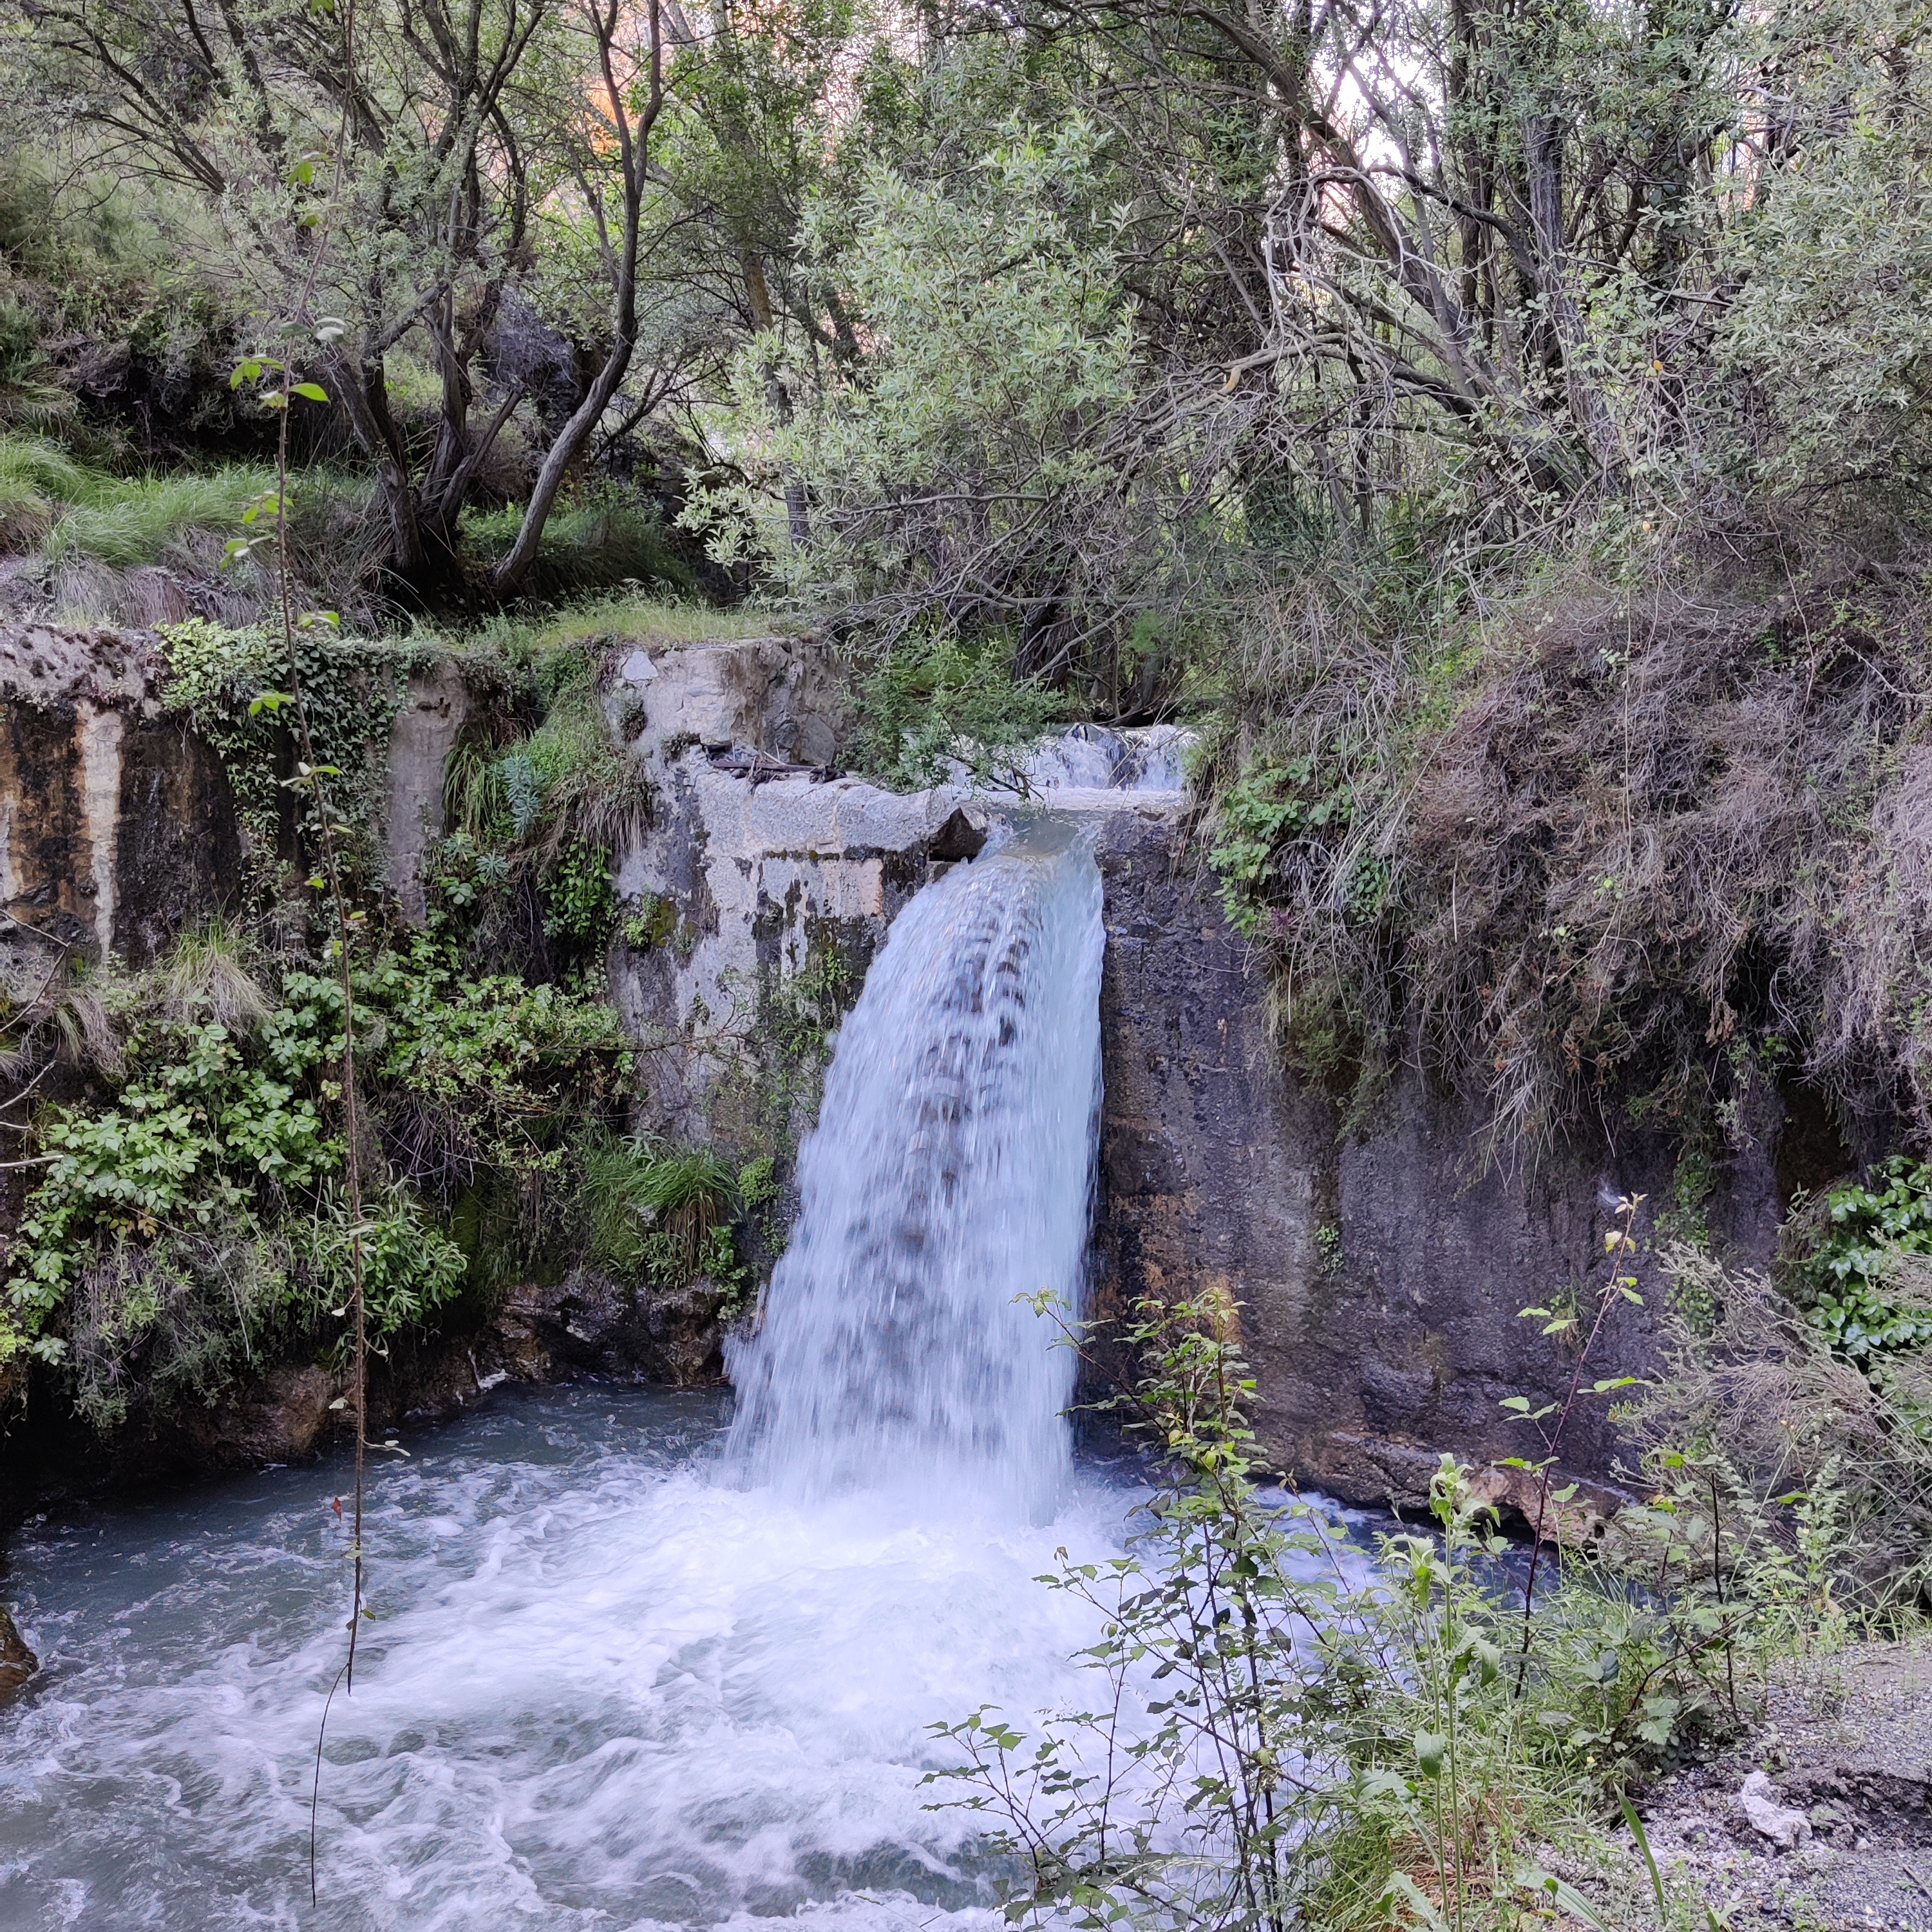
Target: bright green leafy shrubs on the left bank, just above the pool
190,1218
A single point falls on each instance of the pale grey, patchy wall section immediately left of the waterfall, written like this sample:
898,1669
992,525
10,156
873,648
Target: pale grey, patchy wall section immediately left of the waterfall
762,894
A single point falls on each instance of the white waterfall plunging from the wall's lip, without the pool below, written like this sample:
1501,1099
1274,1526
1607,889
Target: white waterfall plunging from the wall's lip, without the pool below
948,1178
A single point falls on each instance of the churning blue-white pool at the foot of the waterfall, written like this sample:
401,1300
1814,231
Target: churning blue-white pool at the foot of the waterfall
602,1688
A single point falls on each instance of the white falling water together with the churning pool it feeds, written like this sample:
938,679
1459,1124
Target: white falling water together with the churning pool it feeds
611,1680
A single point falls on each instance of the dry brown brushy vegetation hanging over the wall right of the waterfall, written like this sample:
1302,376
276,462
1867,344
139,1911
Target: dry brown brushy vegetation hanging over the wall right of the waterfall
1639,855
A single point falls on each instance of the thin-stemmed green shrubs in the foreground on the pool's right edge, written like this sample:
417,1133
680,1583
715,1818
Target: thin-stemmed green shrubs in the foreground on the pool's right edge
1290,1730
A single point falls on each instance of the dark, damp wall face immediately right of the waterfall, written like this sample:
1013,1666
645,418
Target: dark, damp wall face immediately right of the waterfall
1378,1276
